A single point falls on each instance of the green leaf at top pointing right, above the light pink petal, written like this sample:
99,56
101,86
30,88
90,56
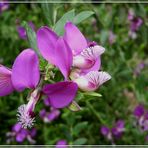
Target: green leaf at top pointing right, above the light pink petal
82,16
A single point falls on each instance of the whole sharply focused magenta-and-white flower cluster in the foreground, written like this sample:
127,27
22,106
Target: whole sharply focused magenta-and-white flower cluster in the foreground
77,59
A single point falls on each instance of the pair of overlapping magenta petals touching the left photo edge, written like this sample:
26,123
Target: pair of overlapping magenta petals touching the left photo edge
24,73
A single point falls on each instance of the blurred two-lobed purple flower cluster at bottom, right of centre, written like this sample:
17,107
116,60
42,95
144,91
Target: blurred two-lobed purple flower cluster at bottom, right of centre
113,133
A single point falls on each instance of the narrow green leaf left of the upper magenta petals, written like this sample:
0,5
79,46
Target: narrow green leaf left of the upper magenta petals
31,36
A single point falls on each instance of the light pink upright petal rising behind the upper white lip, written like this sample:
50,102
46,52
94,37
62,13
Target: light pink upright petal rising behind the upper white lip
74,38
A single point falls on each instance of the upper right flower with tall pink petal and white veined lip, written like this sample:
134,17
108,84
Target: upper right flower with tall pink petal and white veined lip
86,55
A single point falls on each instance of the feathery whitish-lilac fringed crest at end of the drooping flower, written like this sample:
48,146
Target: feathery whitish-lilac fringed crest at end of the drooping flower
24,118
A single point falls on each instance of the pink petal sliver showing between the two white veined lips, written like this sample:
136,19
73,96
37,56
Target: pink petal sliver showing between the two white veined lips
95,67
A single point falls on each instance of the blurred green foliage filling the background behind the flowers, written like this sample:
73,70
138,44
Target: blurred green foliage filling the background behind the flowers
119,96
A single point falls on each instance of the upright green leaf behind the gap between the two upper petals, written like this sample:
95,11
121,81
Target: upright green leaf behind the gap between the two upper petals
59,26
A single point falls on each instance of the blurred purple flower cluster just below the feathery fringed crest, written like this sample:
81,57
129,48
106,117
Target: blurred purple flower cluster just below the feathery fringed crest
20,134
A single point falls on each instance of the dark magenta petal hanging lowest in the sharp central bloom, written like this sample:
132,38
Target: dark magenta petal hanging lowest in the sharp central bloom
61,94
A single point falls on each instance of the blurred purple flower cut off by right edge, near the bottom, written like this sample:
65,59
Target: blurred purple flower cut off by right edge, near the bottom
141,115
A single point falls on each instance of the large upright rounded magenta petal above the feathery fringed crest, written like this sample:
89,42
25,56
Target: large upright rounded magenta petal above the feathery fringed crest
25,70
